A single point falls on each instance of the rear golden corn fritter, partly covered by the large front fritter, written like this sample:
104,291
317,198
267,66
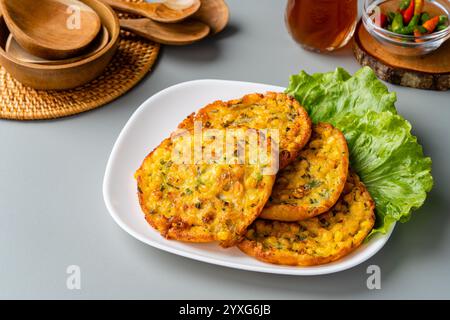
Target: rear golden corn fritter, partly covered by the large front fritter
270,111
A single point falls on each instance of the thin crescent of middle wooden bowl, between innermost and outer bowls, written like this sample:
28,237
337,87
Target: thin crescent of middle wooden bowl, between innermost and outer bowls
14,50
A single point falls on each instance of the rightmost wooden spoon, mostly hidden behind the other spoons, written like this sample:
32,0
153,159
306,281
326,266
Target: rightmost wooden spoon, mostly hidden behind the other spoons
214,13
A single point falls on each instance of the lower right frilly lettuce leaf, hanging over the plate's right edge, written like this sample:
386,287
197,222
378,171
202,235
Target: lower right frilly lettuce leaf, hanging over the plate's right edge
390,162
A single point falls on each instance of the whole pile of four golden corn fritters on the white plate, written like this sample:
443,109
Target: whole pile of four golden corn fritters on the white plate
312,212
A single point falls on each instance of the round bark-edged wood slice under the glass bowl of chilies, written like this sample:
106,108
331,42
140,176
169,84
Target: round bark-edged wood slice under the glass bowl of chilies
430,71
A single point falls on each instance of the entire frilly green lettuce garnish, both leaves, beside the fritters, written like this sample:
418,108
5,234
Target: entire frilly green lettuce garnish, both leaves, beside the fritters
383,151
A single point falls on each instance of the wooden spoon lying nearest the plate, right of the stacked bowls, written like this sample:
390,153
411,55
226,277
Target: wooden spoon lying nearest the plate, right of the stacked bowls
182,33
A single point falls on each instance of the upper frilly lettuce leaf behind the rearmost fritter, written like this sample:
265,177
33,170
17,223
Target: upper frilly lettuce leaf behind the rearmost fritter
329,97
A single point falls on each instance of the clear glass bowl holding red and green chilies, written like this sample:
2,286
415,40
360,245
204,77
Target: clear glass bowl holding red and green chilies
404,45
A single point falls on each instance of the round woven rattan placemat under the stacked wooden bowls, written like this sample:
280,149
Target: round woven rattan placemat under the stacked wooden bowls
132,62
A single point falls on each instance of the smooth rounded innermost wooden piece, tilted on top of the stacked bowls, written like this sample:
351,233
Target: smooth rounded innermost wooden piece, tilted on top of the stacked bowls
51,29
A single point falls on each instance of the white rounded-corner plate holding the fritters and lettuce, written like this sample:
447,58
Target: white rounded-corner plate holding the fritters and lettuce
149,125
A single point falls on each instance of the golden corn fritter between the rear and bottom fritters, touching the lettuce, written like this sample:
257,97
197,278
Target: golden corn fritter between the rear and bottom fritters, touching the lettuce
313,182
